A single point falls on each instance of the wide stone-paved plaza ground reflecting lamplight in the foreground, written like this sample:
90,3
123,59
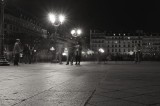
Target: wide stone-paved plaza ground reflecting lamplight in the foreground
90,84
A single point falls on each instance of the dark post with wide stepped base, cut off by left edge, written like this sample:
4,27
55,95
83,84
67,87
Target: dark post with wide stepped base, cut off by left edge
3,61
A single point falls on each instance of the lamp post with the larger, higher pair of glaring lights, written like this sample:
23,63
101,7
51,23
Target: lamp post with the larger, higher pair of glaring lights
56,20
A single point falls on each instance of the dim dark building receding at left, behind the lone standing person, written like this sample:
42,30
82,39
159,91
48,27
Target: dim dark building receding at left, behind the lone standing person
18,24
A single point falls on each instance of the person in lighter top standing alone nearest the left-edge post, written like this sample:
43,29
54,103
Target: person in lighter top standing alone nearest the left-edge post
16,51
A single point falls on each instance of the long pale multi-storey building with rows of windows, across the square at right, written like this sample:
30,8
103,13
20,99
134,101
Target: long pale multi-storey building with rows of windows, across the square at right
125,43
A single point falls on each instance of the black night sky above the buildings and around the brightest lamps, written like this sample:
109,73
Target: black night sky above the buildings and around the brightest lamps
109,15
